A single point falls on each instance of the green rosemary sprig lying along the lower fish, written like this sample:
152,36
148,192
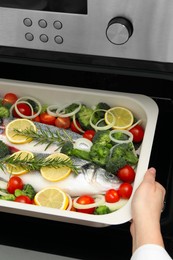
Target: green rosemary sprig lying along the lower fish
35,163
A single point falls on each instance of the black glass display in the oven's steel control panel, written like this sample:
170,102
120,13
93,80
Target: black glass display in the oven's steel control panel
65,6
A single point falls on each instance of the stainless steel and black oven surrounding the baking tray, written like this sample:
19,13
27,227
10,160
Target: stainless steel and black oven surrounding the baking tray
113,45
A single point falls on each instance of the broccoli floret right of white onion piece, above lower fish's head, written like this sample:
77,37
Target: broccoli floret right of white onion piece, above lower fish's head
99,154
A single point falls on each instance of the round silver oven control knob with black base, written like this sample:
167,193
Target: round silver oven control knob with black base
119,30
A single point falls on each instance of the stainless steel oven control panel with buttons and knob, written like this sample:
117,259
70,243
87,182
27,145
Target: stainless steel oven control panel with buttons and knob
134,29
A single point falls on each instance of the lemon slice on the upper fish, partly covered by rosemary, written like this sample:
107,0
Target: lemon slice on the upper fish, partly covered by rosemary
20,124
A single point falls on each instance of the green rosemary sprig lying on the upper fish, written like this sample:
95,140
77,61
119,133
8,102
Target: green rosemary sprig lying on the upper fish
45,136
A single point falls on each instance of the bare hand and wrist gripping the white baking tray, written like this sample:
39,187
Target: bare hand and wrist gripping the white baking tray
147,204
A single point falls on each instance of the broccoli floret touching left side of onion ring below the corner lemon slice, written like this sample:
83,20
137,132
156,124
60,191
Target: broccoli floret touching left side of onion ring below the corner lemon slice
102,138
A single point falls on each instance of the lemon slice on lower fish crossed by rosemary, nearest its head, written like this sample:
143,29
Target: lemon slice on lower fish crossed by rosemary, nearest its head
55,174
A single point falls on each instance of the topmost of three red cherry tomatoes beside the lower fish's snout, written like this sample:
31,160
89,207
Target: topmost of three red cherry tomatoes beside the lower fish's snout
126,174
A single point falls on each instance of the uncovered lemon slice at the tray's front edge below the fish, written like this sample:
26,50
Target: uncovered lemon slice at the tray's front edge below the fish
52,197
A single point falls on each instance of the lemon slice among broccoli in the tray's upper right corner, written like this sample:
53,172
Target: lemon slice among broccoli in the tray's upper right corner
123,117
